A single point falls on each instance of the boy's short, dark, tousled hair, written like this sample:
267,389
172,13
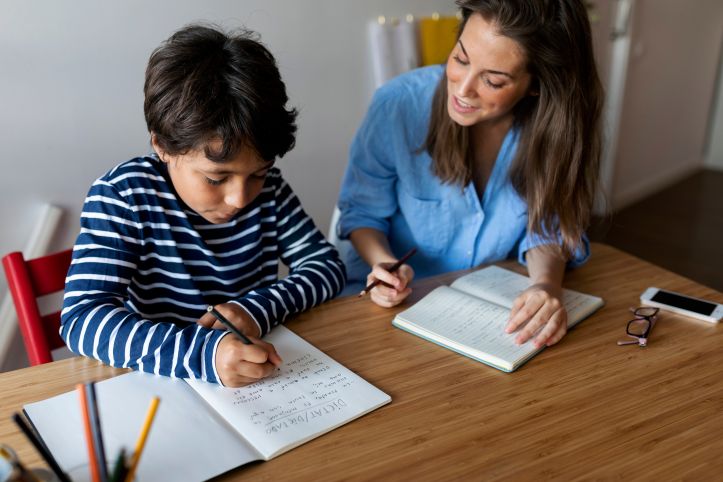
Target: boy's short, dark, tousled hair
202,84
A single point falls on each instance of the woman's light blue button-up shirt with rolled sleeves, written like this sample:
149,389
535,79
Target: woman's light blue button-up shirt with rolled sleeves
389,185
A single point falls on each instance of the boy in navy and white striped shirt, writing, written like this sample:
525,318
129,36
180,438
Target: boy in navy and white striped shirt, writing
203,221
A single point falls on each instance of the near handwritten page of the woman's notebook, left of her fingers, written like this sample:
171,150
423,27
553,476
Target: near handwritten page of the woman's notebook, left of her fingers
467,324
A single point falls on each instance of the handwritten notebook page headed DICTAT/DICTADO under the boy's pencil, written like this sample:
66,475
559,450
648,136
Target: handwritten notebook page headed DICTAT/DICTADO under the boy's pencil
311,394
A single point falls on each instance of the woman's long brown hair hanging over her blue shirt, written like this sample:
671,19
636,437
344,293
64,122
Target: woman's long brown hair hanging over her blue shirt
558,156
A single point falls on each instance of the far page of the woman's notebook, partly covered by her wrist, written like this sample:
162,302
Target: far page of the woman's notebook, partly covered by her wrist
502,286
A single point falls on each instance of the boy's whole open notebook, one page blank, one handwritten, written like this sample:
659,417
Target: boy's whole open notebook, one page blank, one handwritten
202,430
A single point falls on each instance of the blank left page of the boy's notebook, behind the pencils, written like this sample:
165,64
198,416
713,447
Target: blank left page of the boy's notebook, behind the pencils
182,445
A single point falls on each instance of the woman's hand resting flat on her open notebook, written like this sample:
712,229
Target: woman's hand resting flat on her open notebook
538,309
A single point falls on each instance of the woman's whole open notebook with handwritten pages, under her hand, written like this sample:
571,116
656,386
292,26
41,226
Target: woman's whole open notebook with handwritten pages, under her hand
469,316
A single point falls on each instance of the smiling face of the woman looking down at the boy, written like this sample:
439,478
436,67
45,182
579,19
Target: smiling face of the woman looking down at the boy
486,75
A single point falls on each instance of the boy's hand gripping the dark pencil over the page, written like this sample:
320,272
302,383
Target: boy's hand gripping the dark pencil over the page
238,364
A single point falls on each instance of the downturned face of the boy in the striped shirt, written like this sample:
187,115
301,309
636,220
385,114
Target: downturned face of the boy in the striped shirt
217,191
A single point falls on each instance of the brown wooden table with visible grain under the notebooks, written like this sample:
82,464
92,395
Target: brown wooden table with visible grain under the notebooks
585,408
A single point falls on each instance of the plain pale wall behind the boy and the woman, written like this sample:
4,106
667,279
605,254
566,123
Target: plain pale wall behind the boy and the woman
71,100
